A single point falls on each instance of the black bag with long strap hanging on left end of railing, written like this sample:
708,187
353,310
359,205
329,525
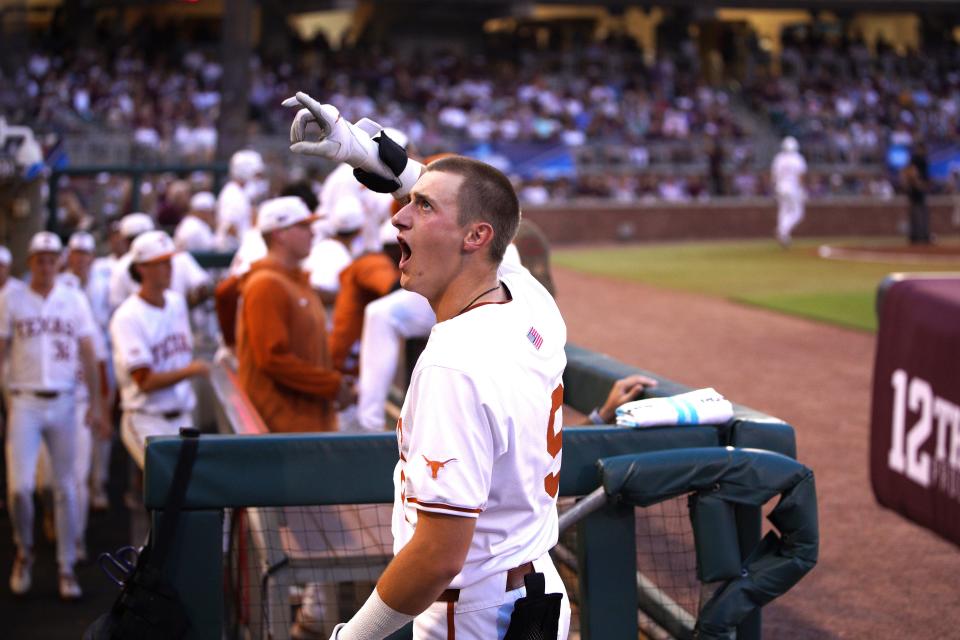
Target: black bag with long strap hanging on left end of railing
147,607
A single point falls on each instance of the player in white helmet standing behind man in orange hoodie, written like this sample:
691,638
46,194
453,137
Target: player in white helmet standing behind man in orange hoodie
237,199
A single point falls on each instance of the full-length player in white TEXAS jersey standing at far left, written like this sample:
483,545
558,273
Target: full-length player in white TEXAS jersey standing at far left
45,331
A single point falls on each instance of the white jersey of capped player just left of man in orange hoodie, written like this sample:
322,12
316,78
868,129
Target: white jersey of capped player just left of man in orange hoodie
145,336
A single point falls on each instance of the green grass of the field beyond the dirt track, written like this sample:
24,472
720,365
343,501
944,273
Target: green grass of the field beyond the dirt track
756,272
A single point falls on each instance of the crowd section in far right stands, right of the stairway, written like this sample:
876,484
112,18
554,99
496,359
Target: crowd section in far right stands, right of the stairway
847,105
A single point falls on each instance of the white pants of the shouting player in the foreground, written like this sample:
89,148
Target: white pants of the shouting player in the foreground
471,617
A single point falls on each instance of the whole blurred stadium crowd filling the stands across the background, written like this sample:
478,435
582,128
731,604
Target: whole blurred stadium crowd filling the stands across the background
636,129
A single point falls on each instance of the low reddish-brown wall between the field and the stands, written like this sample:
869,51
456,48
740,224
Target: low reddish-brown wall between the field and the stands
586,223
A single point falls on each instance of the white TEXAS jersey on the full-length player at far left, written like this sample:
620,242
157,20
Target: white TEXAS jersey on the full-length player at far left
45,337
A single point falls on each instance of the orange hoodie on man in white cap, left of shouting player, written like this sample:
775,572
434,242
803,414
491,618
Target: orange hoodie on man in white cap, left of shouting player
284,366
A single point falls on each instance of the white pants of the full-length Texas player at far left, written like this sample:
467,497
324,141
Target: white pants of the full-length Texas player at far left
33,422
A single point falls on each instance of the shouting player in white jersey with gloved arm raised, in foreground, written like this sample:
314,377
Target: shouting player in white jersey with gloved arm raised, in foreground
480,429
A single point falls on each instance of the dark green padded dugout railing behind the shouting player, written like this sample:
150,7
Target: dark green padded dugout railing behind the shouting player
238,471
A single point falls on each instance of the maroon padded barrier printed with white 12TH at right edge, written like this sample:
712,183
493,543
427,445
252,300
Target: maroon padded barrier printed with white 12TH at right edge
915,418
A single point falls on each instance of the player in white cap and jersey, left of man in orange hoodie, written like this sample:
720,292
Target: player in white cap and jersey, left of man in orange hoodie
153,349
